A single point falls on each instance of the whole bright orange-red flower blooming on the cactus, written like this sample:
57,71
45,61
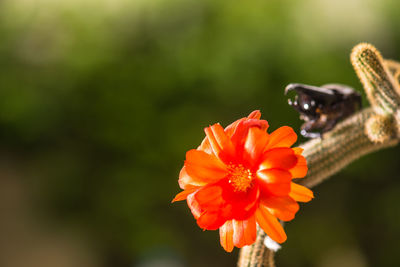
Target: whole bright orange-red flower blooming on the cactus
240,177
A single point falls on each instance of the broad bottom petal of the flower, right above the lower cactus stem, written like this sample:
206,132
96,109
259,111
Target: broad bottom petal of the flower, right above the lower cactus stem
244,232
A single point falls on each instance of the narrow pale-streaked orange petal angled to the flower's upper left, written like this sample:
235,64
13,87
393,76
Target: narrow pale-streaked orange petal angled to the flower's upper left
220,142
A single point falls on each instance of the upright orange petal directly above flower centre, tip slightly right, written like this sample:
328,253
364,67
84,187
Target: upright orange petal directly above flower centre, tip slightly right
255,144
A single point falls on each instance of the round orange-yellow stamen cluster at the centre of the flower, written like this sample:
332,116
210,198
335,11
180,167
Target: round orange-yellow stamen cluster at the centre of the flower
240,177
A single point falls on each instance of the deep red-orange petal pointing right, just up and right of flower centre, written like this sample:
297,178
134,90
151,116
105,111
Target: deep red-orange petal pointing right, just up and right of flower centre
282,158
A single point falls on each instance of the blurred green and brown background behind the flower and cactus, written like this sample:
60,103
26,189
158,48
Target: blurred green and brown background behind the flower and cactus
100,100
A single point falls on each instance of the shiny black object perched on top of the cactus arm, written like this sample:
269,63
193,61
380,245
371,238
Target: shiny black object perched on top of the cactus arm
322,107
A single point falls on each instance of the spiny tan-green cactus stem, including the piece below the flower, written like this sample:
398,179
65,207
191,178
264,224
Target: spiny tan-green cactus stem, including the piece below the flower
369,130
